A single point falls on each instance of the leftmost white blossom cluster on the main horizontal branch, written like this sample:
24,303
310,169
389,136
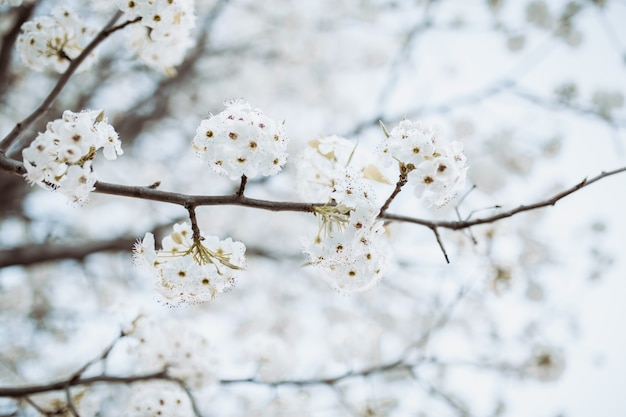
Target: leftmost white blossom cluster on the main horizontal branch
61,157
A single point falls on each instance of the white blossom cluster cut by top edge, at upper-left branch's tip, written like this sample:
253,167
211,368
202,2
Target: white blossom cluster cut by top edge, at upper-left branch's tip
164,34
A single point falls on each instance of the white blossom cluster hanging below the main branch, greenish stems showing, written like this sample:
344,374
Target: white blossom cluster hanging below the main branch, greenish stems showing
191,269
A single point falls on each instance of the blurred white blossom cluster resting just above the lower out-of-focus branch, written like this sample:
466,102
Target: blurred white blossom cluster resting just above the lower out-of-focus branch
185,353
